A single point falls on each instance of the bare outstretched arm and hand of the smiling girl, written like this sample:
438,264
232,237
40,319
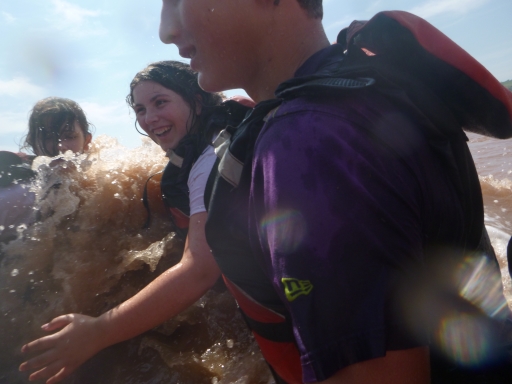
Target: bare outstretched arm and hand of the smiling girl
81,336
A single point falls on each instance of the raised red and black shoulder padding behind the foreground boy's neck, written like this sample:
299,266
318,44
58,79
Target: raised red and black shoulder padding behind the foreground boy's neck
473,94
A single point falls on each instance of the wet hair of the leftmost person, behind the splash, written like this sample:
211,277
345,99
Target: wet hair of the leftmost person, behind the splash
49,118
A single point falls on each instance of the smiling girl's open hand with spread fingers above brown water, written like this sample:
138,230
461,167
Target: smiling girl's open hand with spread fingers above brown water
60,354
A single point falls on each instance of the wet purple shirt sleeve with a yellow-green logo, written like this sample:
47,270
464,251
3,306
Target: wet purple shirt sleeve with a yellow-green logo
336,219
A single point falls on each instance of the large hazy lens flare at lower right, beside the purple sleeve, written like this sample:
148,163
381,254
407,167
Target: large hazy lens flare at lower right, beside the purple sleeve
461,305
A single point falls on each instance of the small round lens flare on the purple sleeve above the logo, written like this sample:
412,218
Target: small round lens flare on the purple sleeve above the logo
284,230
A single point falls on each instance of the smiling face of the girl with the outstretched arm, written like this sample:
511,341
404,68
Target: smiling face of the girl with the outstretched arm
161,113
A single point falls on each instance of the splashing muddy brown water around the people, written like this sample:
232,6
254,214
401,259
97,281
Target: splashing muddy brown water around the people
90,254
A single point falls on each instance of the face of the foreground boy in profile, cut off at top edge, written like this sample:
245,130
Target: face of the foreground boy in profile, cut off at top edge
215,35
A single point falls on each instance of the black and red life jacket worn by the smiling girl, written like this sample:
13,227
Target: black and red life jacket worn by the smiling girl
173,194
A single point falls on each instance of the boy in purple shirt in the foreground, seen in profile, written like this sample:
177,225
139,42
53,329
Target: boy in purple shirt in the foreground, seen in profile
326,205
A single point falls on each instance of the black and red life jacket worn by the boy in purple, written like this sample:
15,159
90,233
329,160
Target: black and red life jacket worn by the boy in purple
413,64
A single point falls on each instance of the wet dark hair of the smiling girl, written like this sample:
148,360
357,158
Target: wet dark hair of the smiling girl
180,78
